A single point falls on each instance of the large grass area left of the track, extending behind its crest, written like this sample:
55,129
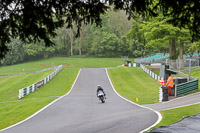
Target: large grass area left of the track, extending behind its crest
13,112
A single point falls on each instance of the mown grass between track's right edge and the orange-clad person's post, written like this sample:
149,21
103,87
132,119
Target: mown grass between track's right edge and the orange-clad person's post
133,83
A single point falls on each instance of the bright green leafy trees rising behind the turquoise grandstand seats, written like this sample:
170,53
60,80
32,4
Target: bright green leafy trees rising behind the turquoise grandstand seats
156,35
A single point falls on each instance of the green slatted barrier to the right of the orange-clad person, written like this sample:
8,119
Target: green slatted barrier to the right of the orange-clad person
186,88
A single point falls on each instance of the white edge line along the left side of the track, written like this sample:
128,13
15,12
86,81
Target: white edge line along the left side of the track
43,107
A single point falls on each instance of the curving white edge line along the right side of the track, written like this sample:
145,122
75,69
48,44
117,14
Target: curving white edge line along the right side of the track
159,115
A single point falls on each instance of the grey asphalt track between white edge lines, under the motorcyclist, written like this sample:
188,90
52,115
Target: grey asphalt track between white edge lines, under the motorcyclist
81,112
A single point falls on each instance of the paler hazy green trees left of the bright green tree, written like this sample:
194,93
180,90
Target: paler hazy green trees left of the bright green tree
107,41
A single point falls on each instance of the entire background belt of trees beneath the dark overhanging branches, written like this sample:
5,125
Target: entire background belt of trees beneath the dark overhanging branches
117,37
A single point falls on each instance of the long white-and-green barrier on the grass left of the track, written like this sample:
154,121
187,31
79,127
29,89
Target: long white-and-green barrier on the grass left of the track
27,90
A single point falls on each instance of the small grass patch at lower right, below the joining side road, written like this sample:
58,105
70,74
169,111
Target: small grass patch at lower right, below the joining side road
174,115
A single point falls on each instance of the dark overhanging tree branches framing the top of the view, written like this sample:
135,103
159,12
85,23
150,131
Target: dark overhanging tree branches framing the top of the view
36,20
